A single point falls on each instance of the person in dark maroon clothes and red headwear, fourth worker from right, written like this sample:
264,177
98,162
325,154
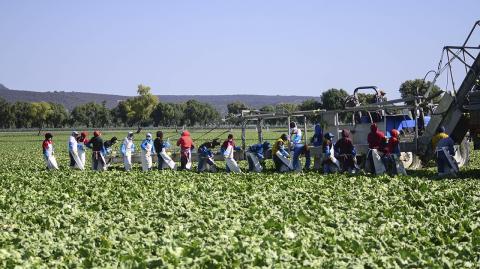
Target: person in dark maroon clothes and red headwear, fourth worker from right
346,153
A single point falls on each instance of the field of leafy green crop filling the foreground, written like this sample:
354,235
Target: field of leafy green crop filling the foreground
68,219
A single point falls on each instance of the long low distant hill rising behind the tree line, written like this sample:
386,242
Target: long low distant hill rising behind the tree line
72,99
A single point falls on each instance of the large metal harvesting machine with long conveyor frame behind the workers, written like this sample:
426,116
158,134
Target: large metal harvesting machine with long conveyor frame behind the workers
416,117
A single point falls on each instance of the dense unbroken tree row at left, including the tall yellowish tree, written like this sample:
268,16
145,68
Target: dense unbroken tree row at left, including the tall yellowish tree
142,110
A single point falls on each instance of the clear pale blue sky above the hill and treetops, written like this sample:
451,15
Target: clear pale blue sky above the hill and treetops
225,47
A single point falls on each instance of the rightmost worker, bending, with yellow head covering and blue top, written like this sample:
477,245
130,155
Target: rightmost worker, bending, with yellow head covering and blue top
445,152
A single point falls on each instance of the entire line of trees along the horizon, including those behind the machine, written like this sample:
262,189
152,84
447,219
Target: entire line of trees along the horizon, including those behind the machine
146,110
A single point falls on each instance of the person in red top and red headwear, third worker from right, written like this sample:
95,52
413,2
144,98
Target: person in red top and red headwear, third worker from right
376,140
